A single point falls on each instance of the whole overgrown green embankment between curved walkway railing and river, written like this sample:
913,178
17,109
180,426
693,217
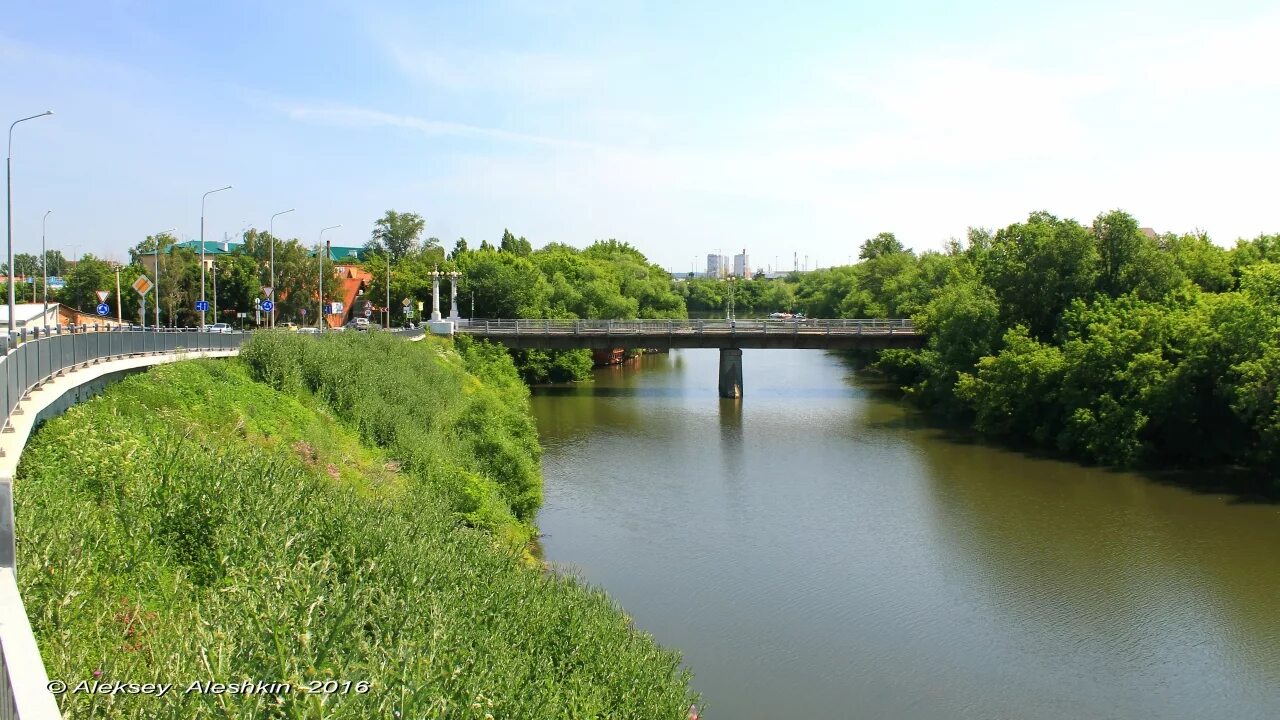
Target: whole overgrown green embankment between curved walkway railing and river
364,522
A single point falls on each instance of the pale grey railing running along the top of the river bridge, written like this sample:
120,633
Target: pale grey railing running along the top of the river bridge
689,327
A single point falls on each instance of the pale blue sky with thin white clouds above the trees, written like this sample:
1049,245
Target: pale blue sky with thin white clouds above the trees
683,129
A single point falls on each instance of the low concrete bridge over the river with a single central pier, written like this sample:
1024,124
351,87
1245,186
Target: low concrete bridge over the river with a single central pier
729,336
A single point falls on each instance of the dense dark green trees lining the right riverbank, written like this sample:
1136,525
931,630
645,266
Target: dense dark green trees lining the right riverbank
1099,341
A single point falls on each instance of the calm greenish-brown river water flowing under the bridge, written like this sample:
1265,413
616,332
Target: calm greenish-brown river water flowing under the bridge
817,550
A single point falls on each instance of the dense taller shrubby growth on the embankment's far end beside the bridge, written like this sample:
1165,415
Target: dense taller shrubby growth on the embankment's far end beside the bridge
472,443
